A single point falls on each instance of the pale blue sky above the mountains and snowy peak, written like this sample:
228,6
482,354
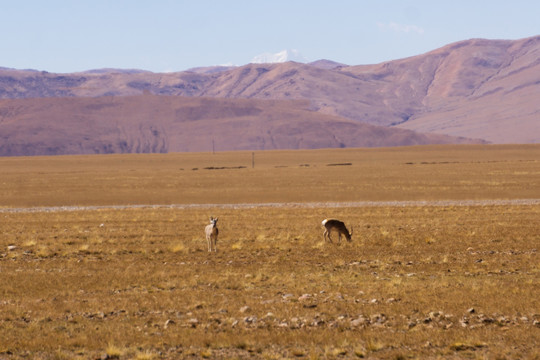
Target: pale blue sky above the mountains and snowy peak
169,35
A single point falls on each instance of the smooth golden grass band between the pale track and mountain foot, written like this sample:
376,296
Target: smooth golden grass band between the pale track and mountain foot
412,173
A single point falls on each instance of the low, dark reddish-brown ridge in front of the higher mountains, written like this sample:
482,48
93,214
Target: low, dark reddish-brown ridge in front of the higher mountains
149,124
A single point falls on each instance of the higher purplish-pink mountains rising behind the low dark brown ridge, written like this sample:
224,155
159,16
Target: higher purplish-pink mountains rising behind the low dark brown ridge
485,89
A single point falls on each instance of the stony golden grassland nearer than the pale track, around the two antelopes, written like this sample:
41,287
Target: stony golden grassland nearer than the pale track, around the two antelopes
474,290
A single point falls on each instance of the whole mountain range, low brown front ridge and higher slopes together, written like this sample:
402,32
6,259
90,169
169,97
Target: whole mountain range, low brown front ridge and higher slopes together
474,91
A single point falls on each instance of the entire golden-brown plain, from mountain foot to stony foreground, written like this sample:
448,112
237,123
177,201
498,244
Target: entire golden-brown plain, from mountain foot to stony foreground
443,261
